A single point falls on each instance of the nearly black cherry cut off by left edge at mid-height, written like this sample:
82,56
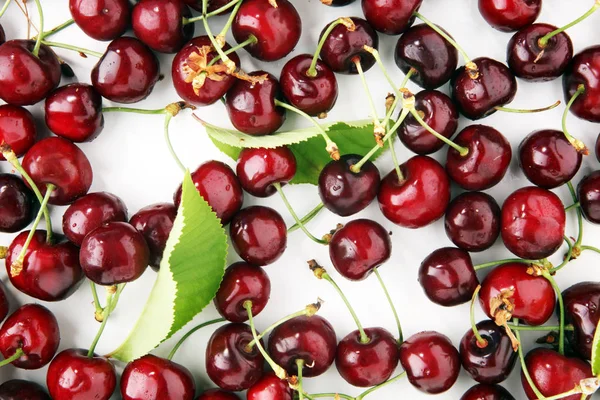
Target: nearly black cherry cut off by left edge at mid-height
18,205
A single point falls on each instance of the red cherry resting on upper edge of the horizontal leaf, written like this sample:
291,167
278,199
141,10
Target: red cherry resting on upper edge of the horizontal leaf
251,106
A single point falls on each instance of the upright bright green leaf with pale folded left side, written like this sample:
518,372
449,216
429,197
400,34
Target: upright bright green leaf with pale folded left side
190,273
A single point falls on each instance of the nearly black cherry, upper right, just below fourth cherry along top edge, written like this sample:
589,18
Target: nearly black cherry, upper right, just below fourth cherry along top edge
432,57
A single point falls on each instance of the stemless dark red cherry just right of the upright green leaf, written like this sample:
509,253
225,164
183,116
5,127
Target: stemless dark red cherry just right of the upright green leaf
258,235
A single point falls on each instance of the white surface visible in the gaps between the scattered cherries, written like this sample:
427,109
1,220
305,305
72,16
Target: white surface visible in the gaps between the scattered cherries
130,160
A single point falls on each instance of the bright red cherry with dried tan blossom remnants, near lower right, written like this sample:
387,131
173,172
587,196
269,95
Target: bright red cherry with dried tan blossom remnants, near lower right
533,297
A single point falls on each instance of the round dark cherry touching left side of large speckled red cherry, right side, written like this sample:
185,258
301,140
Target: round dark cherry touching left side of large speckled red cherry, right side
472,221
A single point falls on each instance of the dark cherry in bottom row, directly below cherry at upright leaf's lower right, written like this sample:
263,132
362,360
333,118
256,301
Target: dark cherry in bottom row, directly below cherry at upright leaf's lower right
229,363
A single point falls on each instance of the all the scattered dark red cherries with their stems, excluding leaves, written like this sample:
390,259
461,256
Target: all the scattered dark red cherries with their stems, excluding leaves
100,243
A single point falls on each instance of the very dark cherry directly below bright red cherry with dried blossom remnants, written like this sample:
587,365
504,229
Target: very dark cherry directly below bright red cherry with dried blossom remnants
490,363
